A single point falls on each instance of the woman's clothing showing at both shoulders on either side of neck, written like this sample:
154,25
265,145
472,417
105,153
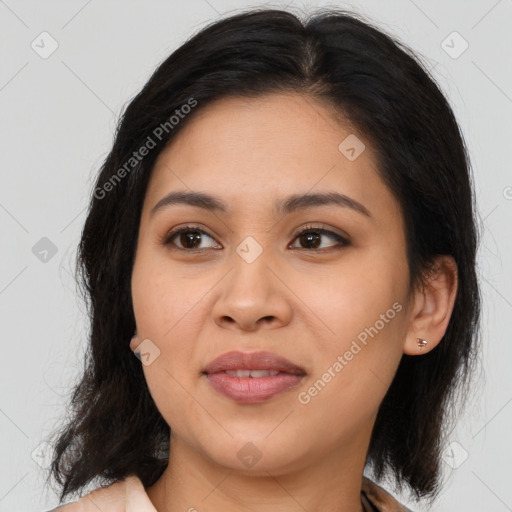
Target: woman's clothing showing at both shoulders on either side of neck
128,495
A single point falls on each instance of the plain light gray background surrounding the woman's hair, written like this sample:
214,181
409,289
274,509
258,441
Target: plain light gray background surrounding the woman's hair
58,116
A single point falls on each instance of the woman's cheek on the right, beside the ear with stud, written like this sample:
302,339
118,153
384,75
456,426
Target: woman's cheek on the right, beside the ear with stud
365,328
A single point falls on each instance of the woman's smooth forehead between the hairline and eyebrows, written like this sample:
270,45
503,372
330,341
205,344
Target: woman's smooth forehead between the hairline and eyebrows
256,149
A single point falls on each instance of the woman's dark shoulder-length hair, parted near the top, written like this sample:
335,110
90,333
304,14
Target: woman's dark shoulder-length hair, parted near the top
380,87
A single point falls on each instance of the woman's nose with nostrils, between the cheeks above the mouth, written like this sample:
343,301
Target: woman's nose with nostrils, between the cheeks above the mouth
253,296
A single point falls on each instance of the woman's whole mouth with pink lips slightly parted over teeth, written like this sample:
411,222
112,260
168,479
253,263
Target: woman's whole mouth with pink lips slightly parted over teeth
252,377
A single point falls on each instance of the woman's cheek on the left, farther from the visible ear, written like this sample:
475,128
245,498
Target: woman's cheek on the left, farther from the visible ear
169,312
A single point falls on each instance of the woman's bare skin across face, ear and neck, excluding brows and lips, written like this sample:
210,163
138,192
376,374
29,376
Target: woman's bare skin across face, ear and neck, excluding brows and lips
303,303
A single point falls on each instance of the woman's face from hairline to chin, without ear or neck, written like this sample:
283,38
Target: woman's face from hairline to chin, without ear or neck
337,309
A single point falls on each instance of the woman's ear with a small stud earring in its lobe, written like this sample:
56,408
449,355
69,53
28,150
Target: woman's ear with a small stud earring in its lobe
433,306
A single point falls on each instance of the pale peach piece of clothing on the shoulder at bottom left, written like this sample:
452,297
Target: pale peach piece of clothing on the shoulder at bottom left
114,498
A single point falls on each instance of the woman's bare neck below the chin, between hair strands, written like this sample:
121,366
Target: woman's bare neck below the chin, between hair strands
193,482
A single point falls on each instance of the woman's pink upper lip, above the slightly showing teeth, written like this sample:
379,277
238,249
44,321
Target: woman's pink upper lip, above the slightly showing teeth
236,360
